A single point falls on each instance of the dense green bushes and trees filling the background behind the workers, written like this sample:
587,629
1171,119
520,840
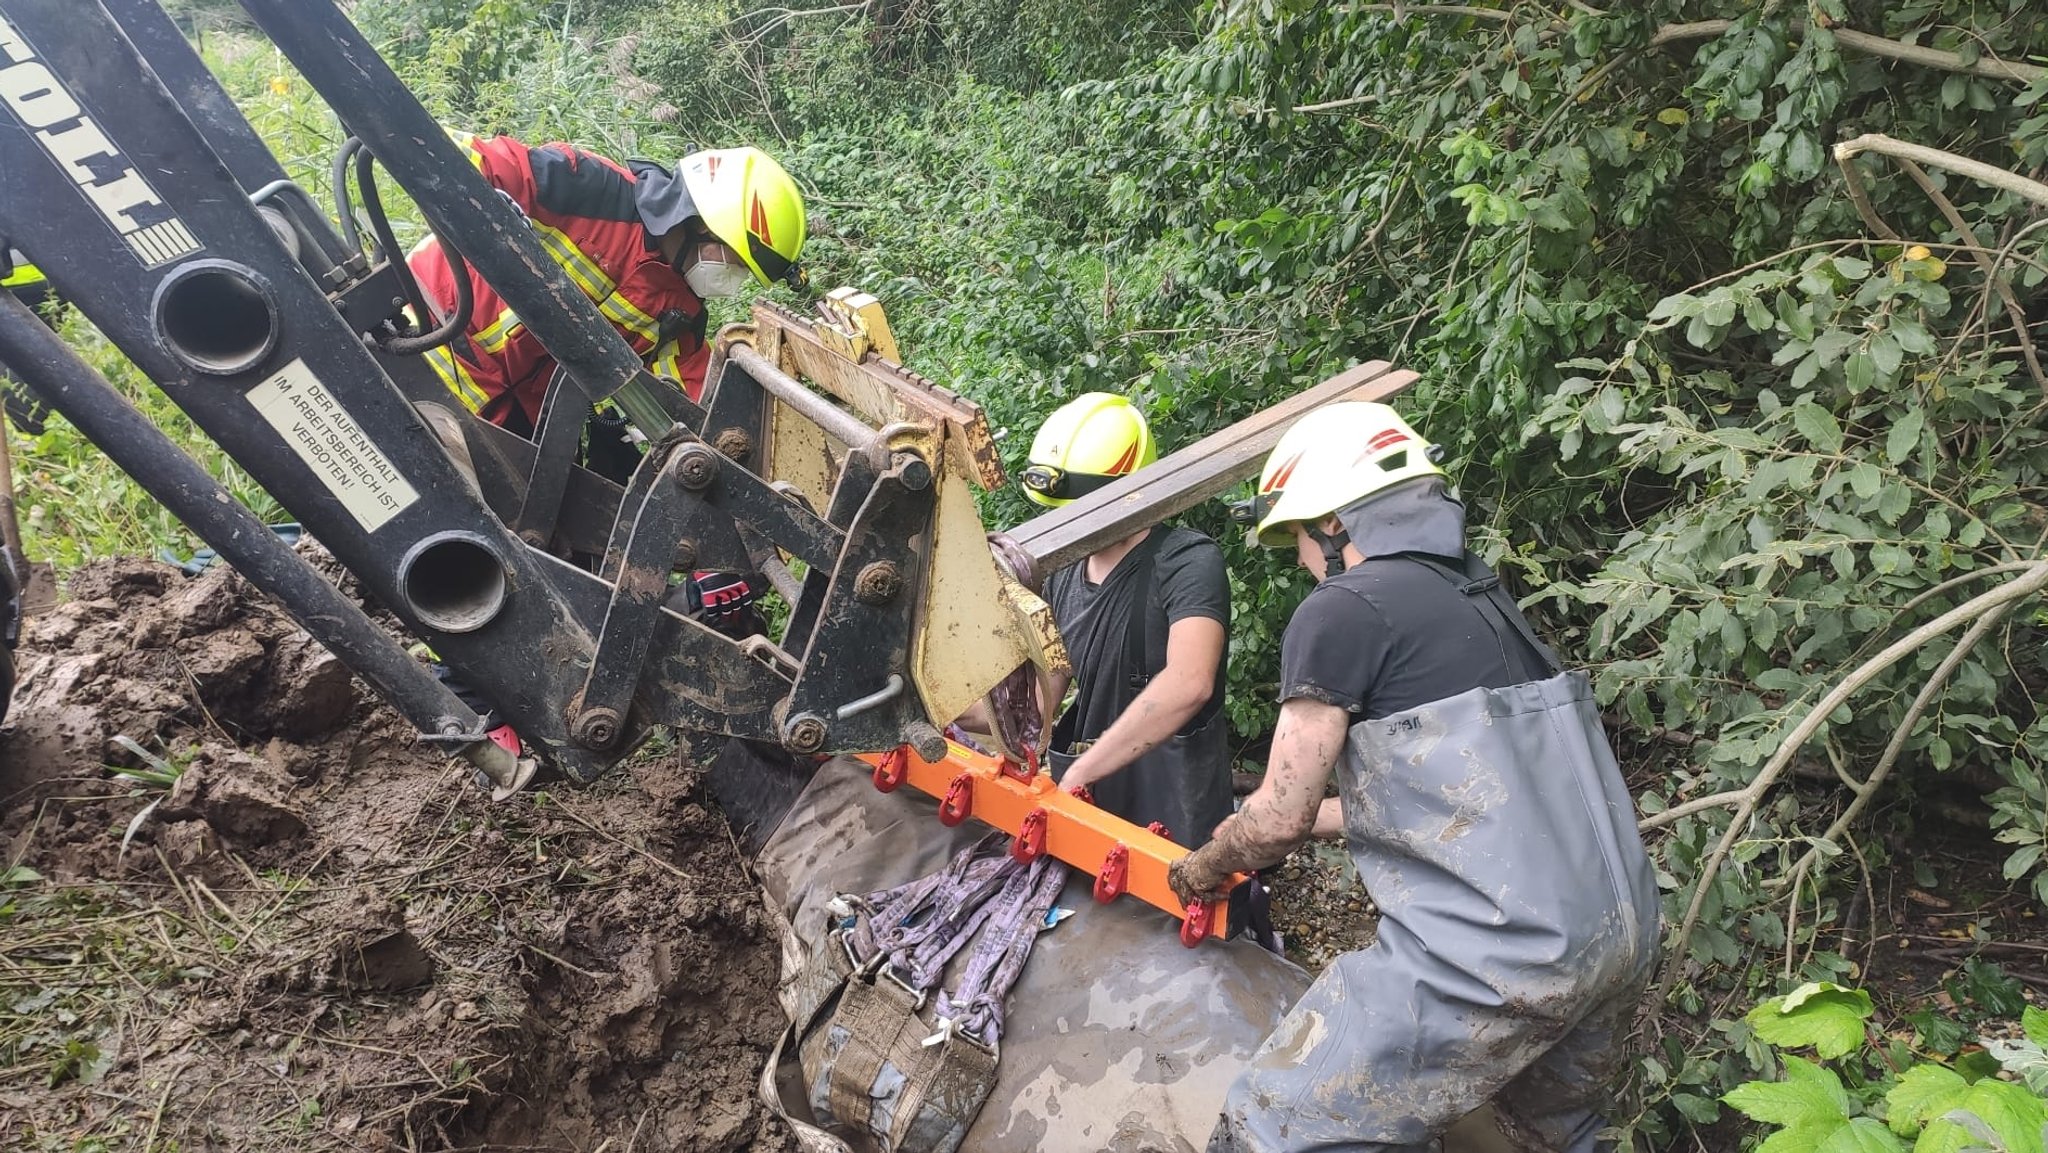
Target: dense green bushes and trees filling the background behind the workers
1752,417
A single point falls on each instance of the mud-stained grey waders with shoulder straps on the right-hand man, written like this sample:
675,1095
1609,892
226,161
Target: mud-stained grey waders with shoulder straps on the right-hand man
1519,929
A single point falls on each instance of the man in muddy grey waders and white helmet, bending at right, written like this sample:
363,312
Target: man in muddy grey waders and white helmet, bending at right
1480,802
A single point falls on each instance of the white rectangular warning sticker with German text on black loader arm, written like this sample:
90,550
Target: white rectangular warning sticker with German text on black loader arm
331,443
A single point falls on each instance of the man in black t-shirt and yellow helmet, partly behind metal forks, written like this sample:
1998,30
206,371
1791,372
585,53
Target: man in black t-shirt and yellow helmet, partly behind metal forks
1146,626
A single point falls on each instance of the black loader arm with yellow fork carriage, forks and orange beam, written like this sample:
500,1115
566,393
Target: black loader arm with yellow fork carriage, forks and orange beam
298,345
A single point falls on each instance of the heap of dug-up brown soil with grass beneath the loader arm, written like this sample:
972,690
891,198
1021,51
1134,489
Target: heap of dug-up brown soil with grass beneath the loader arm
325,937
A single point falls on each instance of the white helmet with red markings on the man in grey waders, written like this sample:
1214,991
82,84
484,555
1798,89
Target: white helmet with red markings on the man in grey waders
1334,458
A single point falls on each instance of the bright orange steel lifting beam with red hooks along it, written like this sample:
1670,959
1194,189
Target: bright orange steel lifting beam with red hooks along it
1046,820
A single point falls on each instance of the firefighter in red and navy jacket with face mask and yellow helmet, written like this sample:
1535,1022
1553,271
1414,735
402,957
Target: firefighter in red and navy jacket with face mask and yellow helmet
644,243
